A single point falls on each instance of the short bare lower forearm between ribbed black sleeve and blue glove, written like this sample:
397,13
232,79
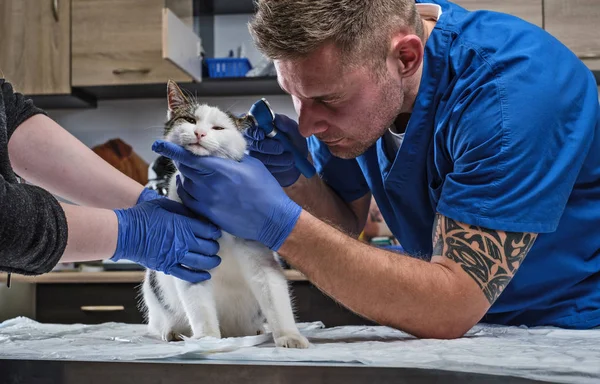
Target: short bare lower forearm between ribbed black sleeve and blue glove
92,233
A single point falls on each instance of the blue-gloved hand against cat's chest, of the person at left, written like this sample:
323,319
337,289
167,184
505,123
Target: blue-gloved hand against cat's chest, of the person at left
162,235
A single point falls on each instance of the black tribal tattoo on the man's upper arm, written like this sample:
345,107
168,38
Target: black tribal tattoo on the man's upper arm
489,257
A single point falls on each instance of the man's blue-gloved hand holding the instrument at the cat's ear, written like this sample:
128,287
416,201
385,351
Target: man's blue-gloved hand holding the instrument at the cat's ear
278,161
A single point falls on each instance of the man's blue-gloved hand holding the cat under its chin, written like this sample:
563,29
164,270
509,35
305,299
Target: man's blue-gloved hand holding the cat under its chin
242,197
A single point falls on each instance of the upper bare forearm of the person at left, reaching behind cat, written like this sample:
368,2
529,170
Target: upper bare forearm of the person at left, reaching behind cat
47,155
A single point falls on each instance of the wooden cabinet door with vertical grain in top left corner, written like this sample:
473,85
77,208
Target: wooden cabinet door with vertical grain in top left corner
36,46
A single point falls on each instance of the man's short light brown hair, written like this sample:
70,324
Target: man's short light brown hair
360,29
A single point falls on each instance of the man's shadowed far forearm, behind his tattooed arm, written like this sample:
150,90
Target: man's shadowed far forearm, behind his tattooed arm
315,196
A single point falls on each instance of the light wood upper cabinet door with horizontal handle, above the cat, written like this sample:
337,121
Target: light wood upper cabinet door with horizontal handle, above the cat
120,42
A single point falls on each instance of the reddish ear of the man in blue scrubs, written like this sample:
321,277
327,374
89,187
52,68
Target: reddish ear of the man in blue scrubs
406,53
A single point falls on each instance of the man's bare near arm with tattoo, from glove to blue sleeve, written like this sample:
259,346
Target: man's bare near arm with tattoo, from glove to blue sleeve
443,298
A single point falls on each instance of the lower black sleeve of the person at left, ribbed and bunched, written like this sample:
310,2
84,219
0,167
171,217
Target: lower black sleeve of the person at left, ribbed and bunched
33,229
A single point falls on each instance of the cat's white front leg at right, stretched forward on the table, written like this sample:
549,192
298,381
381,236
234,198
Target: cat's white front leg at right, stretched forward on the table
269,285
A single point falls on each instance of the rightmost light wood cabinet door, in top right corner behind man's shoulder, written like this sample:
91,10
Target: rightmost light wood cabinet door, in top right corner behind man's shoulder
575,24
